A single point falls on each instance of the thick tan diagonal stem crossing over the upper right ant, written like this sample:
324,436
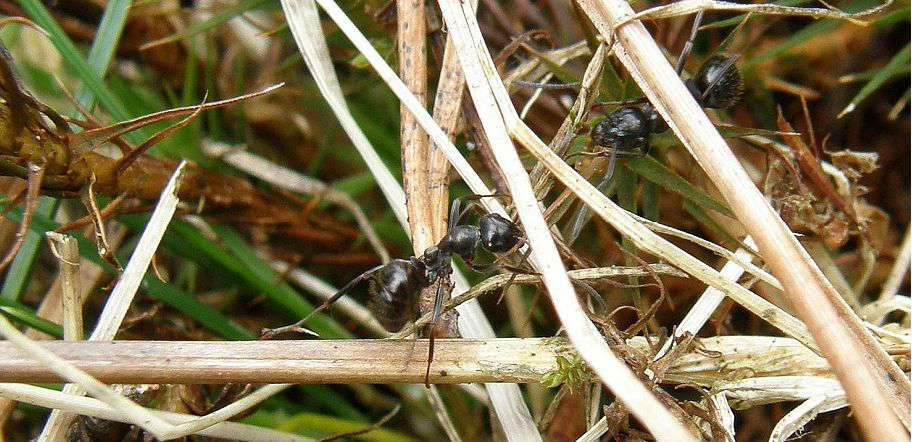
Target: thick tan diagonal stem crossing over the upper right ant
877,389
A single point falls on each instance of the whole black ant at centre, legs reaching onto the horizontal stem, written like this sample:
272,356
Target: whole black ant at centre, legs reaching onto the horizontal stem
395,286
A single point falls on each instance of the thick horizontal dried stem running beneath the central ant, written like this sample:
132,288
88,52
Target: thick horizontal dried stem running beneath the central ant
712,360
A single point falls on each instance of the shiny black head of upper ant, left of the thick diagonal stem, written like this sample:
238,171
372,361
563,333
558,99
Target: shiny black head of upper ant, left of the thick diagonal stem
625,129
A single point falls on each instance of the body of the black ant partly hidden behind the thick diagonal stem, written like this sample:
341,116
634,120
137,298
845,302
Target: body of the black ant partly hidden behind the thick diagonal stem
626,131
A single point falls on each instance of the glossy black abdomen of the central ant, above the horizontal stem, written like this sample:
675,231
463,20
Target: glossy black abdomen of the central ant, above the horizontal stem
395,291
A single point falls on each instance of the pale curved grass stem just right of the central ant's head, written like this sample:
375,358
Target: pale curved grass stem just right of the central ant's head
483,82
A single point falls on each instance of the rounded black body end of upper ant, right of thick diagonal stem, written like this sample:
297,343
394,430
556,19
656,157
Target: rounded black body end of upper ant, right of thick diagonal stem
718,83
